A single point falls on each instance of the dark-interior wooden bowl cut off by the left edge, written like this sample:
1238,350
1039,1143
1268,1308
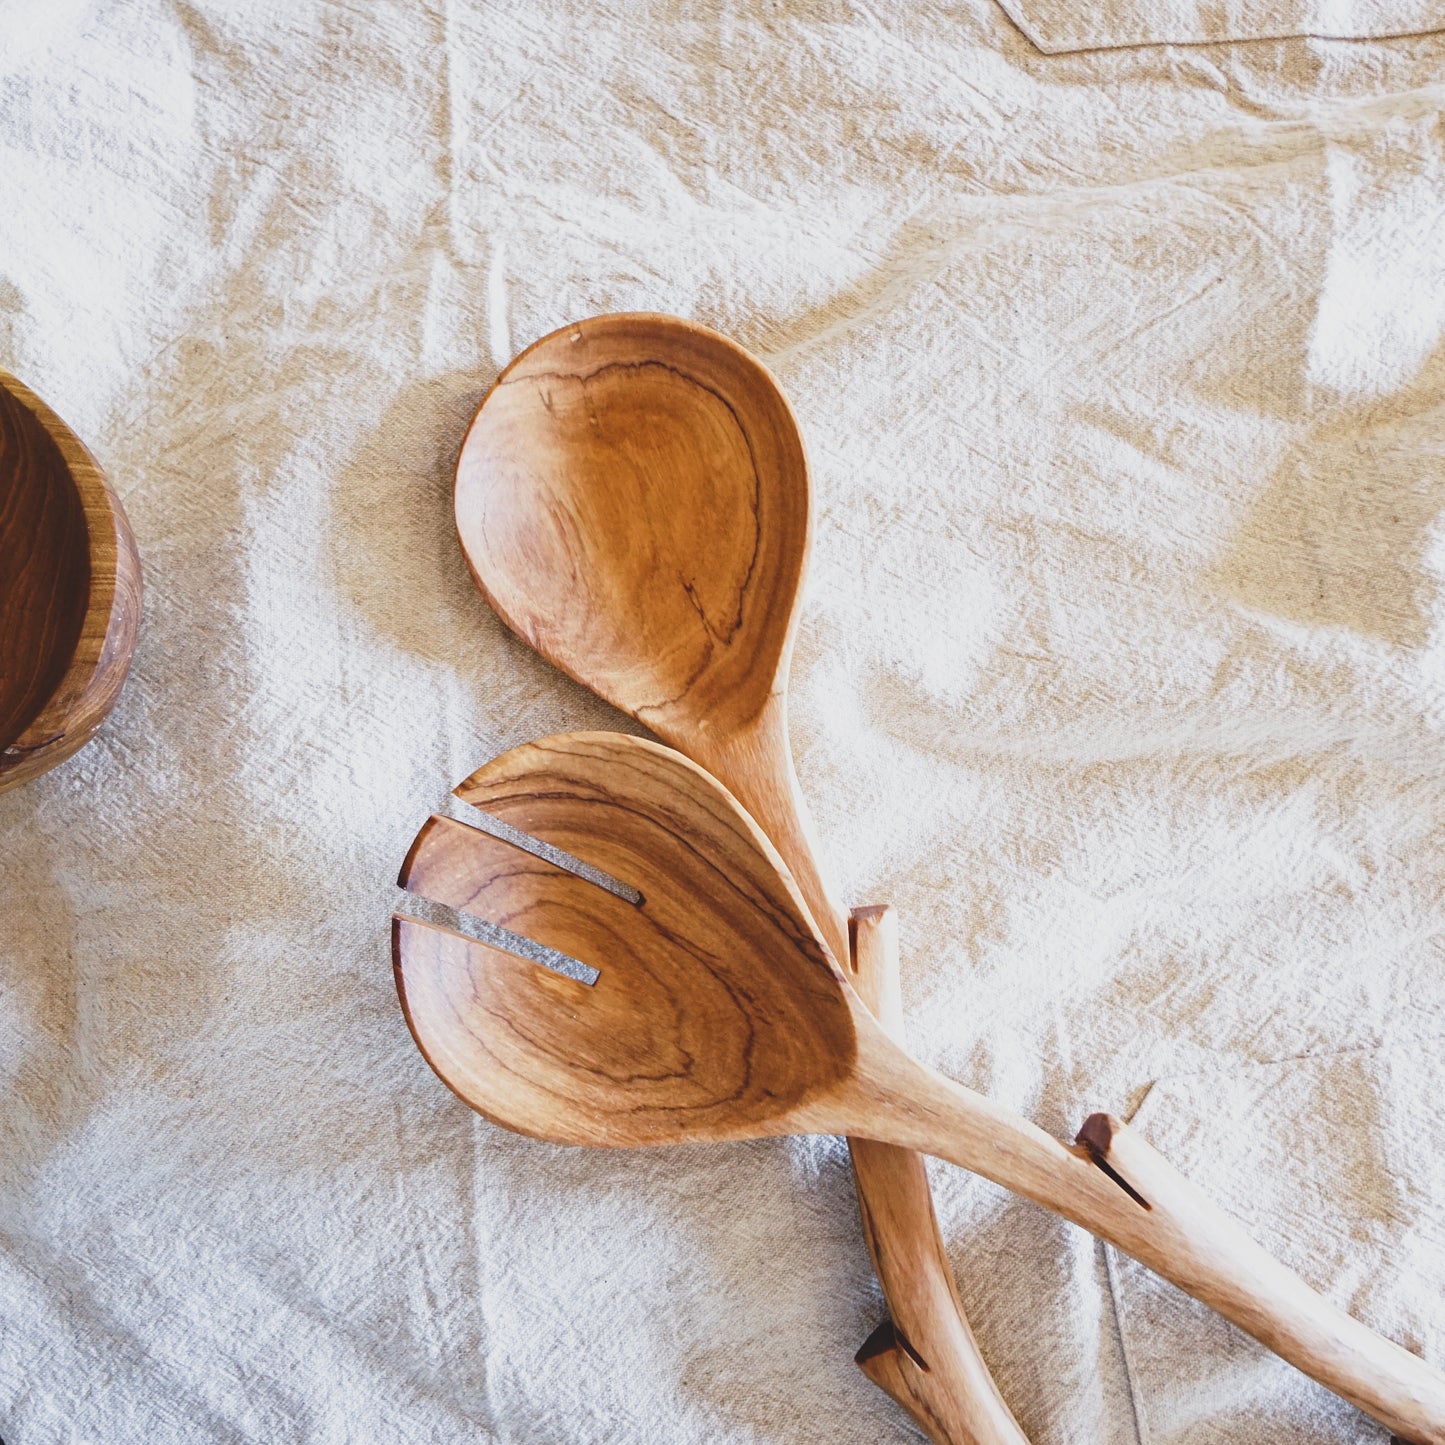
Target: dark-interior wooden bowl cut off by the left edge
70,590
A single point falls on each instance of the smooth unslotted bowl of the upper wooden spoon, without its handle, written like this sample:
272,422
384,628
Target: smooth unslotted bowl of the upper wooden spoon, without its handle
629,479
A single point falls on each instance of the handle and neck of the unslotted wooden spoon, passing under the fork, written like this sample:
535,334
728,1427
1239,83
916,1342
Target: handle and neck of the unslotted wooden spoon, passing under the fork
924,1356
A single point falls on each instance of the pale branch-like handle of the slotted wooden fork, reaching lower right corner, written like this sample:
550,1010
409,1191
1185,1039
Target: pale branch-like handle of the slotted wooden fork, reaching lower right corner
1119,1189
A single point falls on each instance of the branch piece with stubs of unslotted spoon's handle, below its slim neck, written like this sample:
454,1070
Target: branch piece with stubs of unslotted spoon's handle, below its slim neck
926,1356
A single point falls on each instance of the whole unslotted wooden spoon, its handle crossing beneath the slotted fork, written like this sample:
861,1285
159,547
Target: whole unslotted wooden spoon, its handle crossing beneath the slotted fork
634,501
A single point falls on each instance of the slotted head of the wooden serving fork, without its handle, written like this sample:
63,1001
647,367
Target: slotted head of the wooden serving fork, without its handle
717,1011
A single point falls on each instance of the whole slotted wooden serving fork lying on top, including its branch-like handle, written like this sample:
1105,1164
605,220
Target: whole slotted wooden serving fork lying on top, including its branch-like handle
720,1014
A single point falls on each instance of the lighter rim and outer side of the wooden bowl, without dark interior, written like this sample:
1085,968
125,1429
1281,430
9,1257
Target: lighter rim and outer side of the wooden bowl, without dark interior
48,738
